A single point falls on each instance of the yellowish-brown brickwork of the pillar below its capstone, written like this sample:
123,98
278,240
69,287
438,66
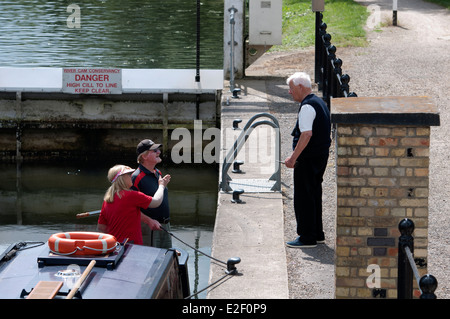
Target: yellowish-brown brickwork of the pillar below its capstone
382,177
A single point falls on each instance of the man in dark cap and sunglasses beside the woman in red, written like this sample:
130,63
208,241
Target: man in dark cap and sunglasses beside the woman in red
145,179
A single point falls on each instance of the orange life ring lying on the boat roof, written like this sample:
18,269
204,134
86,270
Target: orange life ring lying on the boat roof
82,243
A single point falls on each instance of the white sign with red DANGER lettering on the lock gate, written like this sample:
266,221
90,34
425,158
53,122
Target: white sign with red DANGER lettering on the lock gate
92,81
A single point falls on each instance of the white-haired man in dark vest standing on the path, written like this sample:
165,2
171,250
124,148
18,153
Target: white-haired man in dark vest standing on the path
311,144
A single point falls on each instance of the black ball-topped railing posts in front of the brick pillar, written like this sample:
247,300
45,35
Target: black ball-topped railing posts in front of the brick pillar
407,268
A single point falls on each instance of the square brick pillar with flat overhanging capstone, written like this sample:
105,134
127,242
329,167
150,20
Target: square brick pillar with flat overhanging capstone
382,160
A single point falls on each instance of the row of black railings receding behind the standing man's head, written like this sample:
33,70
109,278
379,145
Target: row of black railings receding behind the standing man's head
328,68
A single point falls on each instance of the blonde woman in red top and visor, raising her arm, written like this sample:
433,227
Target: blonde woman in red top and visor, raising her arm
121,215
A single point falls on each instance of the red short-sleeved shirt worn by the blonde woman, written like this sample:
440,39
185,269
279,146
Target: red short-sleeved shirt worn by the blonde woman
123,216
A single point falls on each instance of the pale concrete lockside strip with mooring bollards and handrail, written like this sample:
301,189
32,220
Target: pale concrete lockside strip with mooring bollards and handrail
251,230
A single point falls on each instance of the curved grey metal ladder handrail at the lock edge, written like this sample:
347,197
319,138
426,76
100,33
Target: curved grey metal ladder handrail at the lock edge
240,141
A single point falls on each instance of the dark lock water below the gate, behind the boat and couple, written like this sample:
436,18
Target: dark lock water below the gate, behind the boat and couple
37,200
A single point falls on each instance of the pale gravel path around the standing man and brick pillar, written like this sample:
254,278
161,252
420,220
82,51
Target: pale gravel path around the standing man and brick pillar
410,59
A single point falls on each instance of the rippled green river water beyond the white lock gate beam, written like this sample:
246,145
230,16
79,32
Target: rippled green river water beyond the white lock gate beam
112,33
